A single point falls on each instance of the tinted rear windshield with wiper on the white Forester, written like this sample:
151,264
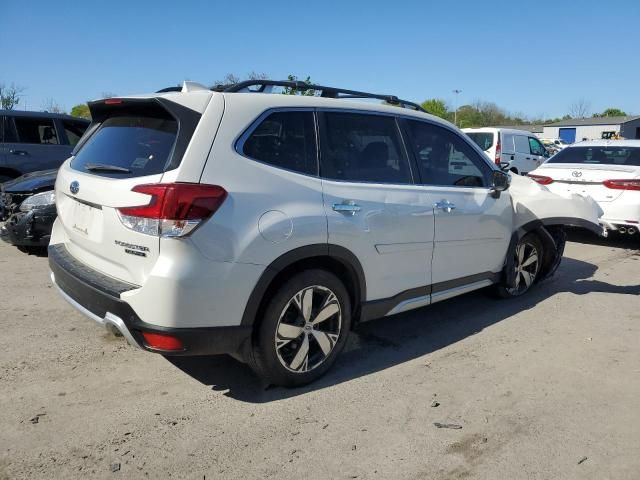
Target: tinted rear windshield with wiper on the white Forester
128,145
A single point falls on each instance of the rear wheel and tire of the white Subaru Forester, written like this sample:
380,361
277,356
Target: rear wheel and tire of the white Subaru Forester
289,349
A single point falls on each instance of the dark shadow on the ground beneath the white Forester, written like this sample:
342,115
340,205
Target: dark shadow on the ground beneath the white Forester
384,343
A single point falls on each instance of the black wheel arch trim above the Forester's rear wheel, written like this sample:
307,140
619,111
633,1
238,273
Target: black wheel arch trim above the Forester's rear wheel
333,258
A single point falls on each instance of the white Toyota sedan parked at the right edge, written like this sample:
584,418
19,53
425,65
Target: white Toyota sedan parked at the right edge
607,170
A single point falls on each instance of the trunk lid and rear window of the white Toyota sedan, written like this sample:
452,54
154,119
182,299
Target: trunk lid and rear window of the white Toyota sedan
584,169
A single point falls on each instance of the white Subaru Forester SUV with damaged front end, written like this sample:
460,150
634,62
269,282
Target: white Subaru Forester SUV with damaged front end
267,226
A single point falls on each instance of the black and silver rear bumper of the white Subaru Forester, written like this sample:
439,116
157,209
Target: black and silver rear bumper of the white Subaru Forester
98,297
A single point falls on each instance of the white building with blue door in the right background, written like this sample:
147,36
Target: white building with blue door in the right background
597,128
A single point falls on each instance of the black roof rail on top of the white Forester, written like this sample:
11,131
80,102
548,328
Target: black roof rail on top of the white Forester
327,92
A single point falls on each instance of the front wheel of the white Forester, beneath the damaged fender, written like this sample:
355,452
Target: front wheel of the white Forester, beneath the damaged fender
527,274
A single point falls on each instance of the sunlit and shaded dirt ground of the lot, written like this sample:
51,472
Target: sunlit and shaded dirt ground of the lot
538,384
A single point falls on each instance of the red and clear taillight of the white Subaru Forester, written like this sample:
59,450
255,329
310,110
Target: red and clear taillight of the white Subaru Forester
173,209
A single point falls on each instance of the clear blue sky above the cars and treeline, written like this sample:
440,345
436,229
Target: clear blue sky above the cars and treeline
530,58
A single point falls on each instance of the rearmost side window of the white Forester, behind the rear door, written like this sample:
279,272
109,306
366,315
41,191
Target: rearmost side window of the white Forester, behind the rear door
285,140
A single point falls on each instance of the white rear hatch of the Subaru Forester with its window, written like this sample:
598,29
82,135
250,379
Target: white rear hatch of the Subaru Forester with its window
132,142
